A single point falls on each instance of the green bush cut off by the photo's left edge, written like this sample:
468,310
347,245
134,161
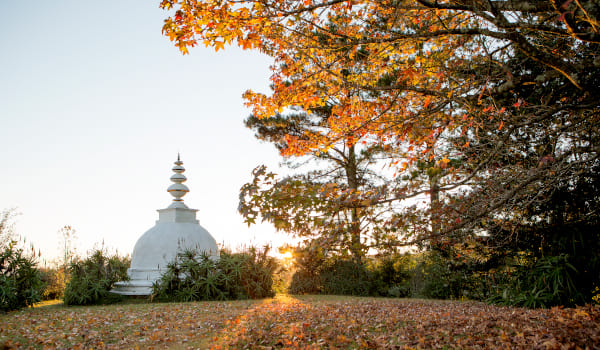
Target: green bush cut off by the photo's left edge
21,283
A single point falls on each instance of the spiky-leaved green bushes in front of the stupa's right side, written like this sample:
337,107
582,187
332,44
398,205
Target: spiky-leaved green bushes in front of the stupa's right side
196,276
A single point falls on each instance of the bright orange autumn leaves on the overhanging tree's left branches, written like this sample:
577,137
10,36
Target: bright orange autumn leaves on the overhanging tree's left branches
336,52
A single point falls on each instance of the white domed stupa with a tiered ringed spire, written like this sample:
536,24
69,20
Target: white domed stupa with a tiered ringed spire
176,230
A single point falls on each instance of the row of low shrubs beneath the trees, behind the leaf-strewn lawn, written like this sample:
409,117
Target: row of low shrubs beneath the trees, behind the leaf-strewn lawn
442,274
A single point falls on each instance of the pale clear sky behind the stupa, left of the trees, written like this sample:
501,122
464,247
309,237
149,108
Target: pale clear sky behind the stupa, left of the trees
95,104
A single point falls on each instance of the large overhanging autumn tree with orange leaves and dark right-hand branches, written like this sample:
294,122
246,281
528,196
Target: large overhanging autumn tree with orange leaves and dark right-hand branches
509,88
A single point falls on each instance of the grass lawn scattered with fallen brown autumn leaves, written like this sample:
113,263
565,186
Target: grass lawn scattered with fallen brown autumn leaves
306,322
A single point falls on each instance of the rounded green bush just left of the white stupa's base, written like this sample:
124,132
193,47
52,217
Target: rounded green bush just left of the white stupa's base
92,279
